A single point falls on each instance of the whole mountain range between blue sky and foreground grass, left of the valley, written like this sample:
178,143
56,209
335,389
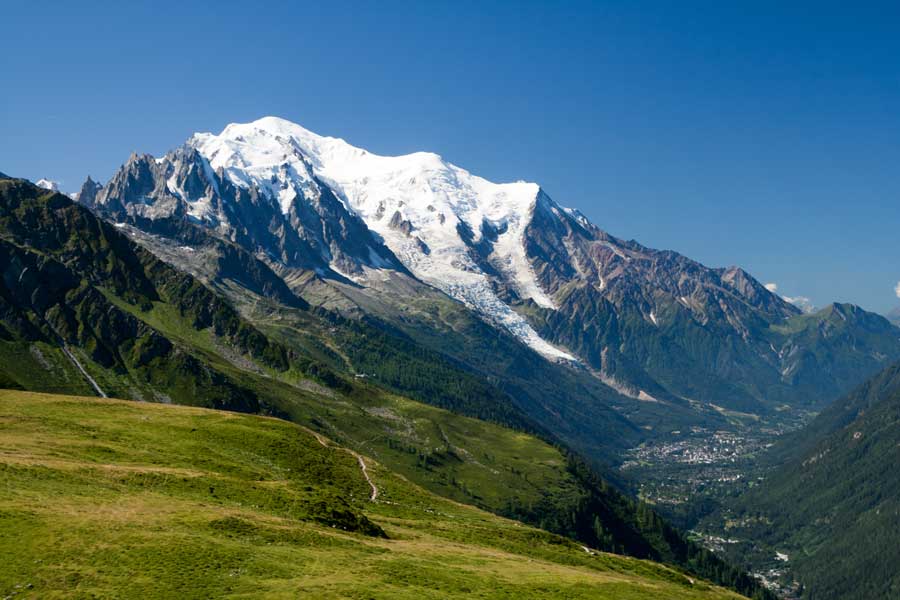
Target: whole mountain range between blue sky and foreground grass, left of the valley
477,338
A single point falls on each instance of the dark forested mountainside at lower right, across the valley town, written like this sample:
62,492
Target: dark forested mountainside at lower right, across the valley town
833,507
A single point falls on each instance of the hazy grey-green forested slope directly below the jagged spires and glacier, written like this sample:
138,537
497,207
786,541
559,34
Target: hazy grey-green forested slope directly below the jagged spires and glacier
576,406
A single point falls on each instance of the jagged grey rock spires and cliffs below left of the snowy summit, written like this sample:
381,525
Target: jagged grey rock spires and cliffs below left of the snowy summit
314,232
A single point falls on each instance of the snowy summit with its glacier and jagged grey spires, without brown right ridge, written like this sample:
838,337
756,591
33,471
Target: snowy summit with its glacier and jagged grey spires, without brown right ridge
315,202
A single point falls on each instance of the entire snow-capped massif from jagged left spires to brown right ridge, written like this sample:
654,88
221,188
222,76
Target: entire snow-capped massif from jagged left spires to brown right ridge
653,324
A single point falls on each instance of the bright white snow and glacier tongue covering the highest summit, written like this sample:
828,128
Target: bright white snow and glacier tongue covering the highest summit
436,198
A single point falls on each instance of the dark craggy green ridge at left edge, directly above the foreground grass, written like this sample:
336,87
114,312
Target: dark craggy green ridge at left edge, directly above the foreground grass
66,276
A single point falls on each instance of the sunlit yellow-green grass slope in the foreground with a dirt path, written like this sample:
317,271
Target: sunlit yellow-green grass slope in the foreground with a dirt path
107,498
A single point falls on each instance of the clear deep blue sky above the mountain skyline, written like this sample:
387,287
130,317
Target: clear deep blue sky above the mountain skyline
752,133
